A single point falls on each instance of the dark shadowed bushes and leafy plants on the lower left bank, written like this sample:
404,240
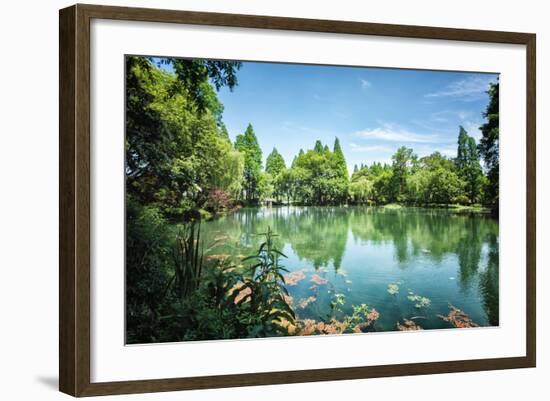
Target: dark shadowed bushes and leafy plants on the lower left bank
186,298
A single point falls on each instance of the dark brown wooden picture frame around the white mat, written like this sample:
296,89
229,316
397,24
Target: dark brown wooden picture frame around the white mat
74,199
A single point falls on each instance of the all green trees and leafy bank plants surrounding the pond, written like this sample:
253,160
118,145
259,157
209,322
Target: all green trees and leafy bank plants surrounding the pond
182,167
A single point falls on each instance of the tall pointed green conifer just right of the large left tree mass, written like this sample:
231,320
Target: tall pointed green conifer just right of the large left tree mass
247,143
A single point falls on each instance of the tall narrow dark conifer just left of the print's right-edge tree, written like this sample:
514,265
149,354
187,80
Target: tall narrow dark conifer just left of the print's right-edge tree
469,169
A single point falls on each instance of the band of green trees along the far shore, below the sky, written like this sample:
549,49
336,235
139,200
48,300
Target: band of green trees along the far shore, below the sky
180,159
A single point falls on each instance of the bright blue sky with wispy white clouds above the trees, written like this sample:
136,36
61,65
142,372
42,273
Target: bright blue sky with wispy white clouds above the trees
373,111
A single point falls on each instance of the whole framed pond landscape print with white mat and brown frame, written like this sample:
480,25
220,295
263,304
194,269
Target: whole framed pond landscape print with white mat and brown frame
250,200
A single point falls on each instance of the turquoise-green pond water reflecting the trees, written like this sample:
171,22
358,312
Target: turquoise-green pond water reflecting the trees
448,258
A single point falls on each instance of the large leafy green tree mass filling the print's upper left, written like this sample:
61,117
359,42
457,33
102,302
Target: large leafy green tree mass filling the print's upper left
176,148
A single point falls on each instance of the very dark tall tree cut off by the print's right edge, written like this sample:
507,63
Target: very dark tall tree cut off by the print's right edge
489,146
